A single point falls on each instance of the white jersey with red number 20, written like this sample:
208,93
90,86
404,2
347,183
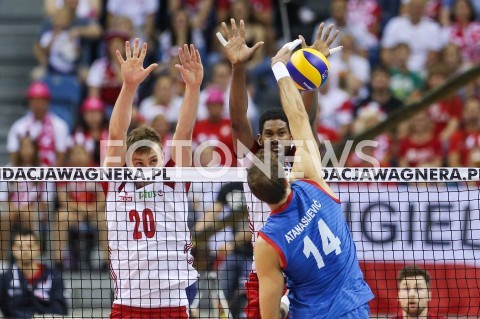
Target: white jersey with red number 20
149,244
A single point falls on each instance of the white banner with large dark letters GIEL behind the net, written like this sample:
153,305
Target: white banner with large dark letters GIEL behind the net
400,223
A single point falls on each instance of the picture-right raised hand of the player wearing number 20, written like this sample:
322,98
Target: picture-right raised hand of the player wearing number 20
191,67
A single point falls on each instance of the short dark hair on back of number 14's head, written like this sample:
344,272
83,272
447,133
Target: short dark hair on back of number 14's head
269,189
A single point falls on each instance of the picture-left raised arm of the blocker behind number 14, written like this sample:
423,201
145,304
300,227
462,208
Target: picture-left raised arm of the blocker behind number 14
238,53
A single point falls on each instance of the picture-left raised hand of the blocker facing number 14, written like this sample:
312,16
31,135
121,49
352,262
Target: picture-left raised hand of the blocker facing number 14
236,49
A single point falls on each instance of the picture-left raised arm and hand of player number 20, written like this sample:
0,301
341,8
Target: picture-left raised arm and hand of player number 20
133,74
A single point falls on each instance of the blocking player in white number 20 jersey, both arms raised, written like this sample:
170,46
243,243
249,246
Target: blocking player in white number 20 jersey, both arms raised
149,241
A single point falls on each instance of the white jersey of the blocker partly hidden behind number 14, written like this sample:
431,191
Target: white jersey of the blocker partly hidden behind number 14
258,211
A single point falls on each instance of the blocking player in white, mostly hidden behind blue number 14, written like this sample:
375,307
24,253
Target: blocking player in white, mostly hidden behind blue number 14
273,129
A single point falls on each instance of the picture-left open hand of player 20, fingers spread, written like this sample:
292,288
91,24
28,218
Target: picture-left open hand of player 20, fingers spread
132,69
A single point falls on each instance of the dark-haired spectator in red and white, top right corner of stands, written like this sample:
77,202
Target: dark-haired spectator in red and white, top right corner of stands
465,31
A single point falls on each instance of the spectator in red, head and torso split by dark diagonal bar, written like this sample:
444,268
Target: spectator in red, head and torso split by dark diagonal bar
447,112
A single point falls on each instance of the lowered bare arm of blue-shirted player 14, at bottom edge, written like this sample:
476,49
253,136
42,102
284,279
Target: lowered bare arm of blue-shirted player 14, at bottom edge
271,280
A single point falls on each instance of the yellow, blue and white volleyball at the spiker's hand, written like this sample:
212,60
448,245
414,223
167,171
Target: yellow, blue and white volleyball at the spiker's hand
308,68
